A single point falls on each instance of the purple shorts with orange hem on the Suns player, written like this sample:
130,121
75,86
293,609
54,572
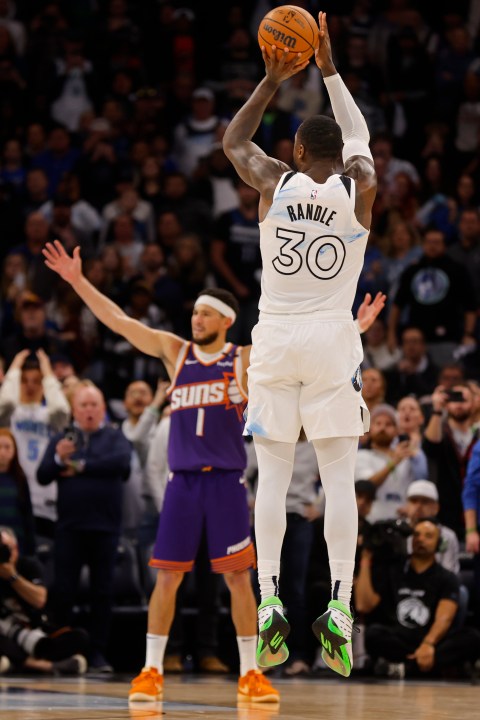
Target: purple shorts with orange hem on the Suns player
214,500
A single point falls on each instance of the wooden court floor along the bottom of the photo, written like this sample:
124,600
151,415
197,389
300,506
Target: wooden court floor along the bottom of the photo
196,696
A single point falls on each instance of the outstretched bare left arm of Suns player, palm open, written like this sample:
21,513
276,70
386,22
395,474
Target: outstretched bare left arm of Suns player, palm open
152,342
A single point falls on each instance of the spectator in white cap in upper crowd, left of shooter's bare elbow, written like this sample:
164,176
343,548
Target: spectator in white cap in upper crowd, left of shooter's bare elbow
196,134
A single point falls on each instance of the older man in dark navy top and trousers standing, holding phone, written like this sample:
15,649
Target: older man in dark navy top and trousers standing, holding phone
90,464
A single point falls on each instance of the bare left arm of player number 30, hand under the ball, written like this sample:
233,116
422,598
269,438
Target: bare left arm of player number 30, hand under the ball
250,161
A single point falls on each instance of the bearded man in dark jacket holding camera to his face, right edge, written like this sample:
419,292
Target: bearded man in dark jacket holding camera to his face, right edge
448,441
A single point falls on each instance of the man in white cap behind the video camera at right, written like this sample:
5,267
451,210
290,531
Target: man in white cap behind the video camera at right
422,502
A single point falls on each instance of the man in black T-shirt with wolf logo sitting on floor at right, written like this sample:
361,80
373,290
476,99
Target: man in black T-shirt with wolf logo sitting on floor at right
418,601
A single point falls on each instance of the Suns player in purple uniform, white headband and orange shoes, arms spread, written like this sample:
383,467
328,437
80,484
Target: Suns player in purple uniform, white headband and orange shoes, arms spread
206,457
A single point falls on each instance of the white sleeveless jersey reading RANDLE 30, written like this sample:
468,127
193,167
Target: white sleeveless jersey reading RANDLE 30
312,246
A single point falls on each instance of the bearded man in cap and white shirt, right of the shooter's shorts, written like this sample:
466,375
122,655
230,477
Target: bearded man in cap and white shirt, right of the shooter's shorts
390,463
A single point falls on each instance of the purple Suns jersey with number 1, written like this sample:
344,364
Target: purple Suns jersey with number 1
206,425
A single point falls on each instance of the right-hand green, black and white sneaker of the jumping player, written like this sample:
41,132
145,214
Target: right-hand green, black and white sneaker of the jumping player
333,630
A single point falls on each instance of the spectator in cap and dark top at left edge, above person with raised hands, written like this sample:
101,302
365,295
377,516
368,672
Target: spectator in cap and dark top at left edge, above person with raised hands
33,332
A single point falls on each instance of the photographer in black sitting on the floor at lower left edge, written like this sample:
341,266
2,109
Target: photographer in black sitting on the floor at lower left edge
24,638
